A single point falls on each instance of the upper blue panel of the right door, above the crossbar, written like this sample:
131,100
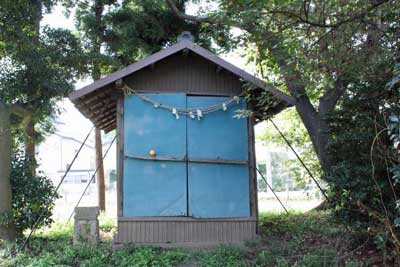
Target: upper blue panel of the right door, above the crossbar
218,134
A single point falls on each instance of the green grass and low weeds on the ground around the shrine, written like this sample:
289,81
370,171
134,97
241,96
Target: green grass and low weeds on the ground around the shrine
302,240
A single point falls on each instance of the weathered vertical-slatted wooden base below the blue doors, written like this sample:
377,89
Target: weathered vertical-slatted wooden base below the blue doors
157,230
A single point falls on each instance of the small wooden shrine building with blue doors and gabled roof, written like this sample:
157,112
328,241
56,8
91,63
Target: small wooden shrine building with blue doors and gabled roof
185,163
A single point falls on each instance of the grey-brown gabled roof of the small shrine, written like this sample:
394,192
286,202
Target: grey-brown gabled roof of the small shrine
108,123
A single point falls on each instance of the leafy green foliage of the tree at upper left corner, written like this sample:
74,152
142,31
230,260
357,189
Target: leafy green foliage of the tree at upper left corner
39,64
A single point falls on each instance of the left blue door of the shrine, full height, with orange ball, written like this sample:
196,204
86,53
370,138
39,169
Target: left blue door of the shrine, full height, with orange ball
154,187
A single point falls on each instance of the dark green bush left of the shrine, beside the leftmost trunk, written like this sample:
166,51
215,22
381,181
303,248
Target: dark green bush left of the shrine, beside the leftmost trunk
31,194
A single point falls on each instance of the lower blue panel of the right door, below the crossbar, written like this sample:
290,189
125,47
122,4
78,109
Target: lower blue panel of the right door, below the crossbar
218,190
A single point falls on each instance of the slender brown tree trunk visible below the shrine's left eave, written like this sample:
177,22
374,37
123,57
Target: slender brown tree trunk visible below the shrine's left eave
100,172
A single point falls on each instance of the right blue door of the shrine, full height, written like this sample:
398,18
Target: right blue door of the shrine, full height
218,176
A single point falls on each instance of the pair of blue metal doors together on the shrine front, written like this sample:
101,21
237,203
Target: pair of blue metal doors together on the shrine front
201,166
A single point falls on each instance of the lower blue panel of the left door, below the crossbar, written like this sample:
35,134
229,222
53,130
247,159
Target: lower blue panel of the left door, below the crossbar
154,188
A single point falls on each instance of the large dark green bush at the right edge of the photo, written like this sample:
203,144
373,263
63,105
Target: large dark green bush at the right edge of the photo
362,178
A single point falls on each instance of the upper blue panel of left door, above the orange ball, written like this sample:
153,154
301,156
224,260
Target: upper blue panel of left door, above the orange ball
147,127
